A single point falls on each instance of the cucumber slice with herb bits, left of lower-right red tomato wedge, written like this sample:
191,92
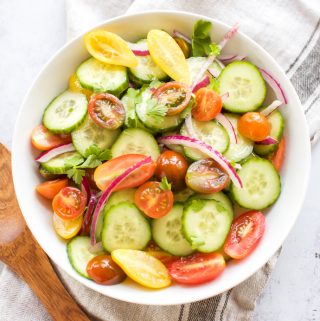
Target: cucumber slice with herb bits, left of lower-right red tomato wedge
206,224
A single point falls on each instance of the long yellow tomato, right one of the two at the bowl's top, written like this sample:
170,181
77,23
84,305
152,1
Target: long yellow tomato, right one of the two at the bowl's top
168,55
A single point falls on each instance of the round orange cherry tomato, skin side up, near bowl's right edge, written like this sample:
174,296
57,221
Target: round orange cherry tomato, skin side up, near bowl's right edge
254,126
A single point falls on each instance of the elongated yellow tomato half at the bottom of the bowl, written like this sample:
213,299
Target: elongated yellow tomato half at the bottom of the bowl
142,268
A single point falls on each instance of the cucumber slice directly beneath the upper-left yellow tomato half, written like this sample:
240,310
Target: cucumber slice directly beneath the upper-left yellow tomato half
101,77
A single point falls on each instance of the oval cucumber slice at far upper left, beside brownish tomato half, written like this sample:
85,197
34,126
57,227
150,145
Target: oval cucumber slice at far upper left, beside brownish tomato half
66,112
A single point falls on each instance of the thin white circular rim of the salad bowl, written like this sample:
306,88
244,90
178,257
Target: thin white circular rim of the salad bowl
303,129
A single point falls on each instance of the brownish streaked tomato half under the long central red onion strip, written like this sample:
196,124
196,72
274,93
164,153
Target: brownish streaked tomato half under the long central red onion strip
206,176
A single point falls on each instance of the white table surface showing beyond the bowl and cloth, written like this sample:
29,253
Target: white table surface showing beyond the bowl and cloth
31,31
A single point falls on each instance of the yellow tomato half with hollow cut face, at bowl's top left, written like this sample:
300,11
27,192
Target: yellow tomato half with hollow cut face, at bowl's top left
109,48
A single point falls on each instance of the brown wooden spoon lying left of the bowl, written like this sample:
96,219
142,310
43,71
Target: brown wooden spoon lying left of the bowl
22,253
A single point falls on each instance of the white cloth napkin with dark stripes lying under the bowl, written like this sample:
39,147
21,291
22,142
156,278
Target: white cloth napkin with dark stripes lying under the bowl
289,30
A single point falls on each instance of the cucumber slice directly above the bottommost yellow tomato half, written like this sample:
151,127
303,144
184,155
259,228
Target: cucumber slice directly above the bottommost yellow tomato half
125,227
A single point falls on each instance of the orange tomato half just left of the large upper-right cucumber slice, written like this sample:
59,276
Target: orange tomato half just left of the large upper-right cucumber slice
207,106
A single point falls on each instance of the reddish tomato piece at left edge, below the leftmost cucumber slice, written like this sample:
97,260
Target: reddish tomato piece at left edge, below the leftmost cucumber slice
43,139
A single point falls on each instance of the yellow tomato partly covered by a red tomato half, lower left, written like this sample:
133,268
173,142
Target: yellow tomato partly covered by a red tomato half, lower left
67,228
